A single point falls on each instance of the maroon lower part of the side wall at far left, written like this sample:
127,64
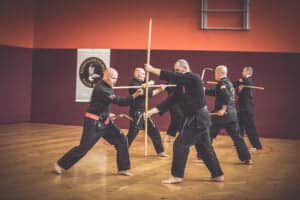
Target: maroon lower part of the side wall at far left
15,84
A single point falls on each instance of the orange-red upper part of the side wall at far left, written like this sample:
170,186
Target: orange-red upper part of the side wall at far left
17,22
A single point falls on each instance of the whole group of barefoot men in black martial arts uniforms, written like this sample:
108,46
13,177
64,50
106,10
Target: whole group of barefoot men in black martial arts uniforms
189,118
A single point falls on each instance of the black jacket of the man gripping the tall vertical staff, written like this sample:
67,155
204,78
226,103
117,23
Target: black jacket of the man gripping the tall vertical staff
189,94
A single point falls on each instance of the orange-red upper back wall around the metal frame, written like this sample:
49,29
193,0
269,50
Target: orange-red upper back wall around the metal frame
120,24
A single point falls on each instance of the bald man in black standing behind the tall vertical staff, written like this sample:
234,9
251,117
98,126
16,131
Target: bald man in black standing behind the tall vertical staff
136,111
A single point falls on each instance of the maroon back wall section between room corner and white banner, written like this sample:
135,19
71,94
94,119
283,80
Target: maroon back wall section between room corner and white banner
53,87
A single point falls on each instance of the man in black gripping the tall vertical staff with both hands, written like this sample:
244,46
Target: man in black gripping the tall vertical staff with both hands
190,95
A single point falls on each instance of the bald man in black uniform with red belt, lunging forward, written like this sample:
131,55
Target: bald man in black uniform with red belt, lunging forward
97,124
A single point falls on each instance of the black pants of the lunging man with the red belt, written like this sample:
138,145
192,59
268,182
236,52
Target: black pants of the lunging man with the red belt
90,136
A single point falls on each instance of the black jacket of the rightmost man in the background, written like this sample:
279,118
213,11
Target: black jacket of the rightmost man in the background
245,98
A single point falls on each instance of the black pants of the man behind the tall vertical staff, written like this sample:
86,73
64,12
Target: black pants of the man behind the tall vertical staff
153,132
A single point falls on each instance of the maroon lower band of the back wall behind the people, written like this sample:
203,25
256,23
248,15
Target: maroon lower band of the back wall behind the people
276,116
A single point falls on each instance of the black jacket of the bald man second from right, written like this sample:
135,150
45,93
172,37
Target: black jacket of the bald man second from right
224,93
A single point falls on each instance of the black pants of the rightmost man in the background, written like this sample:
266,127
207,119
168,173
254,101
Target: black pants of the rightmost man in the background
246,122
